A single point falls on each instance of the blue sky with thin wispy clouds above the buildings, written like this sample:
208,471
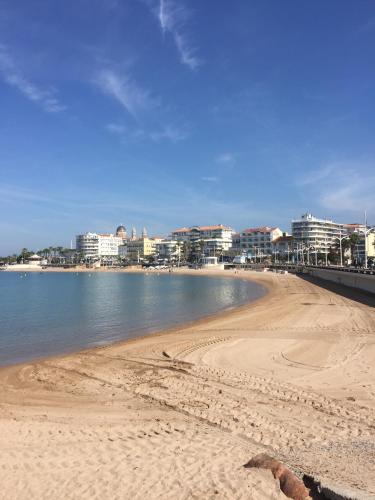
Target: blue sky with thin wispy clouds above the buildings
166,113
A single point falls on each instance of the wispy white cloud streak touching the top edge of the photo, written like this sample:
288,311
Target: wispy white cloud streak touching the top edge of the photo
173,17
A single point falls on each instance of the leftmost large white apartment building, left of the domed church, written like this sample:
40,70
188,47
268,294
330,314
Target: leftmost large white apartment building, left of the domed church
94,245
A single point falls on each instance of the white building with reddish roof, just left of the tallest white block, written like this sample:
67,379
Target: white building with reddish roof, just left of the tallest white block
257,241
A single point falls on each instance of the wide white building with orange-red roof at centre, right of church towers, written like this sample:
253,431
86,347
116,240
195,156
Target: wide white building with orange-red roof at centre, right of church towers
212,239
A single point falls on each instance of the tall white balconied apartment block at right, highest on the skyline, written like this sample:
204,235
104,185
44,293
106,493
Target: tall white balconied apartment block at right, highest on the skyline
321,234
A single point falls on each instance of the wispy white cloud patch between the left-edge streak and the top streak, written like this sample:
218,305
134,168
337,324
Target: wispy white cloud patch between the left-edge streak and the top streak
126,91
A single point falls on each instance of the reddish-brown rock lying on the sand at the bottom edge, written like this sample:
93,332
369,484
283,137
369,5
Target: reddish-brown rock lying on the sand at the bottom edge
290,484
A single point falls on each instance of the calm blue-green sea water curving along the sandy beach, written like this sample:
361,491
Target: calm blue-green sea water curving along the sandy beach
52,313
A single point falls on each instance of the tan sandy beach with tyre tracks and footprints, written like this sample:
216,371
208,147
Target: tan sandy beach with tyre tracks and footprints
176,415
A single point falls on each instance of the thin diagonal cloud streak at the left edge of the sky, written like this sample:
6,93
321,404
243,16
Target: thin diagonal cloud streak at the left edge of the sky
14,77
